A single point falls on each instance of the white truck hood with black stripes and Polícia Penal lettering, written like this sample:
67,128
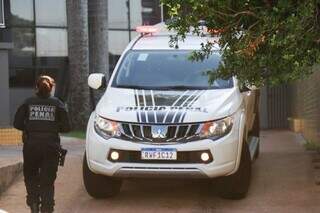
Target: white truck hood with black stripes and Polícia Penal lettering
159,107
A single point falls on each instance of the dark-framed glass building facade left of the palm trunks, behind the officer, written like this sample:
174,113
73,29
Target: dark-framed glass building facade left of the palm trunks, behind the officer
37,33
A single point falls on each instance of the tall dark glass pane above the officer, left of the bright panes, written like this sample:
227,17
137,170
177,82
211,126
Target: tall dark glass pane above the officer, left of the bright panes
21,58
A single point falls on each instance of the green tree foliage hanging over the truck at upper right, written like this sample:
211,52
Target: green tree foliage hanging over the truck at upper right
264,42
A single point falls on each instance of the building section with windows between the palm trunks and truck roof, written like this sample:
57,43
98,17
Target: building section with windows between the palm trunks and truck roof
123,17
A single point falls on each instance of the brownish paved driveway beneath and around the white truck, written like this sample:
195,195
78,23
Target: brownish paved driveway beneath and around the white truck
282,181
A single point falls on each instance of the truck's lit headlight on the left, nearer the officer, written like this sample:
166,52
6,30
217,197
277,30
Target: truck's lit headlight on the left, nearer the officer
106,128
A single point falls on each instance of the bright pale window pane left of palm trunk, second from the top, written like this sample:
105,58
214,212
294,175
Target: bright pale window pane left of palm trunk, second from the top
52,42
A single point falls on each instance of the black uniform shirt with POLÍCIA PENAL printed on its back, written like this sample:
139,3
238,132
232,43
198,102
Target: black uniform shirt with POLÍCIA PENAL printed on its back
42,116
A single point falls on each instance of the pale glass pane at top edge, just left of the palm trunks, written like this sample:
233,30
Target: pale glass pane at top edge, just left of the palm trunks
51,13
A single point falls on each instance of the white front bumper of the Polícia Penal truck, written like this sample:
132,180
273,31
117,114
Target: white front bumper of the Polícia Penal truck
225,152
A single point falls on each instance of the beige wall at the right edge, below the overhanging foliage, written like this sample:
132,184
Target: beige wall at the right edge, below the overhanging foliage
304,107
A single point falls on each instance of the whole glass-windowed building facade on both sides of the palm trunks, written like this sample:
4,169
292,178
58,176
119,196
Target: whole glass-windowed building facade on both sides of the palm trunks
37,30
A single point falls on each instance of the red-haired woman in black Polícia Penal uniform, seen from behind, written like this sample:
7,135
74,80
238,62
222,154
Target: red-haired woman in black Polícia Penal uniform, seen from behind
41,118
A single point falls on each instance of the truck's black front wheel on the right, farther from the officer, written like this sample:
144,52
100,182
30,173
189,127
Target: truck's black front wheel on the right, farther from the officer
237,185
